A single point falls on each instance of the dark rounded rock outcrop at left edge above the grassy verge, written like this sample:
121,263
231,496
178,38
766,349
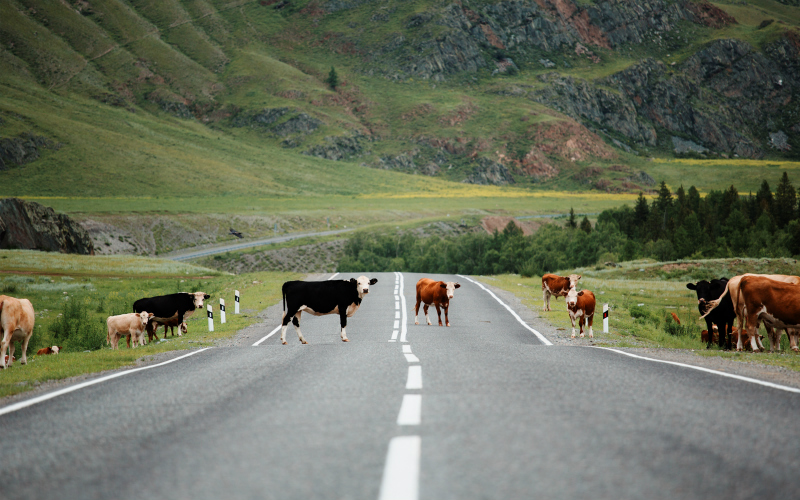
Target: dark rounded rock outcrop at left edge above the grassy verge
29,225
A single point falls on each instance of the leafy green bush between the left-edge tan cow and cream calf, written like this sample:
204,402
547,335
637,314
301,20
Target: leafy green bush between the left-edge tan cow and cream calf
75,330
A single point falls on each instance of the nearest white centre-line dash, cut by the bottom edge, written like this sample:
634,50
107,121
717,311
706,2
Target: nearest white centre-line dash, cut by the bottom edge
401,473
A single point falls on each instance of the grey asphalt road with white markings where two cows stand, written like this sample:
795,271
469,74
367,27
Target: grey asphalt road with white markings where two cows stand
480,410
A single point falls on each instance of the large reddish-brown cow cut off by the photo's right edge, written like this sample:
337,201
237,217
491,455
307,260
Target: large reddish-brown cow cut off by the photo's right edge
775,303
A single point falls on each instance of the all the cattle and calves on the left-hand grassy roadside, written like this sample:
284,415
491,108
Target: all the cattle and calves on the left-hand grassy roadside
17,320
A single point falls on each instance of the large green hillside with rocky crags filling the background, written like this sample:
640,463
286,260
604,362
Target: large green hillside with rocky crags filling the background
524,92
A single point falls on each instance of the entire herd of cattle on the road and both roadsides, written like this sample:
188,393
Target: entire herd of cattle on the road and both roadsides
751,299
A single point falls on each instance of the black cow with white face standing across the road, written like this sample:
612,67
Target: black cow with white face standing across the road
342,297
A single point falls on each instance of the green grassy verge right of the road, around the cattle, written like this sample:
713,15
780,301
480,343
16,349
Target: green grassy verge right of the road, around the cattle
640,307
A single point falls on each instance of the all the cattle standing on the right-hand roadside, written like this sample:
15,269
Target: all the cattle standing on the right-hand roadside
750,299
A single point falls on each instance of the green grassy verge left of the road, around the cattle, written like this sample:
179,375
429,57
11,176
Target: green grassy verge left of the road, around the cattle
108,285
